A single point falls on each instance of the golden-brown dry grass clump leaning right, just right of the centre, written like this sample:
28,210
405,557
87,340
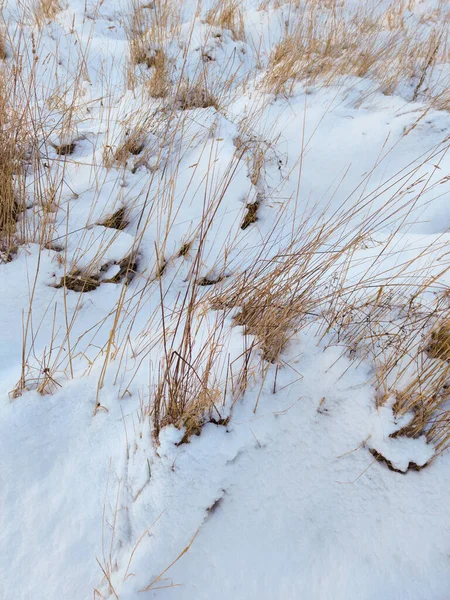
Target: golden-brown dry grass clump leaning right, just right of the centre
277,295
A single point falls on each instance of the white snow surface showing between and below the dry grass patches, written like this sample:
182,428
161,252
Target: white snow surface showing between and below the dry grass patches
285,501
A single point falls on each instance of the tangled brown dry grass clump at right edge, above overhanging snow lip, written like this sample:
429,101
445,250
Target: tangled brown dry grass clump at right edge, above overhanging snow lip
407,340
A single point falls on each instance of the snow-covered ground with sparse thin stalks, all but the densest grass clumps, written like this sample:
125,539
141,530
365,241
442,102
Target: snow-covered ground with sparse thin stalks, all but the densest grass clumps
286,493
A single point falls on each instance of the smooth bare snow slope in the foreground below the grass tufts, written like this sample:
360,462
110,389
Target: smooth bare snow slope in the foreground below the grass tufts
283,502
